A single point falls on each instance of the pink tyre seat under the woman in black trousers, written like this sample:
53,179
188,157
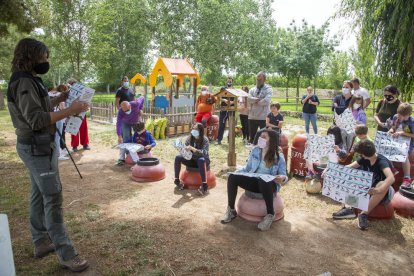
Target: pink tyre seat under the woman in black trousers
252,207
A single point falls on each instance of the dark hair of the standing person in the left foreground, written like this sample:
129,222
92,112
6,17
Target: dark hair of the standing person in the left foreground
27,54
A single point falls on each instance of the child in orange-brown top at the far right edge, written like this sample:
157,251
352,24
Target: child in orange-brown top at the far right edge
403,124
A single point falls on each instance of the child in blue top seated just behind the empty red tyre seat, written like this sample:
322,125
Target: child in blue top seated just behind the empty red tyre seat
142,137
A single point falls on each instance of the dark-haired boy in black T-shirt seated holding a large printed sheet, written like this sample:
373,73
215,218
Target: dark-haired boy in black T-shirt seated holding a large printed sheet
380,191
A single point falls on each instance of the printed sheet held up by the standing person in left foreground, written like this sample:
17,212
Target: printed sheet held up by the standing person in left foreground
84,94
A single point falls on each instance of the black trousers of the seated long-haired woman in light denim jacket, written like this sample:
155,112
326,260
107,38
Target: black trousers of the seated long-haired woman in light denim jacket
252,184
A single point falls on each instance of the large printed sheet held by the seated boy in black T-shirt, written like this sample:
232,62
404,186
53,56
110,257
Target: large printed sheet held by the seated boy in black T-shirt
347,185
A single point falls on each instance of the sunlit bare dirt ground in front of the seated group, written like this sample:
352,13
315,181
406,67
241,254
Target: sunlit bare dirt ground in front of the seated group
189,239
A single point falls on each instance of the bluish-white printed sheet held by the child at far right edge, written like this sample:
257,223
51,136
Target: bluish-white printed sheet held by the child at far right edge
395,149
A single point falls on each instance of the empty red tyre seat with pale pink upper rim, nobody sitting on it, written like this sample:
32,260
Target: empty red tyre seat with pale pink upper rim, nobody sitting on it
148,170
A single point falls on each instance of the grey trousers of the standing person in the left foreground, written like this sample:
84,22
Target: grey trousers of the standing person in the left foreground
46,214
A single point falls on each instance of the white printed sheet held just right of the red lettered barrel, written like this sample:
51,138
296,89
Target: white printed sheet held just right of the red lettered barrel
318,148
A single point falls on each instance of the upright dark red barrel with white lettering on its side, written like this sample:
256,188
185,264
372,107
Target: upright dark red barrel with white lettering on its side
297,162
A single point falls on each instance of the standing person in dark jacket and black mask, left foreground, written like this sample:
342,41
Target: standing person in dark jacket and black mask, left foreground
31,112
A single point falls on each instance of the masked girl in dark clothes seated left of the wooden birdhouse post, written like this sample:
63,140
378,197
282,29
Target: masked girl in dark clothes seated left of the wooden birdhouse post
198,144
